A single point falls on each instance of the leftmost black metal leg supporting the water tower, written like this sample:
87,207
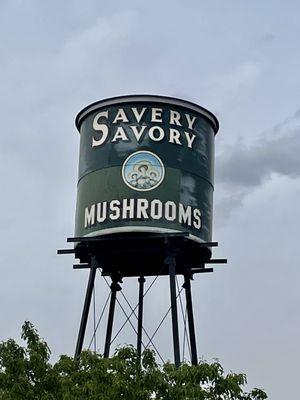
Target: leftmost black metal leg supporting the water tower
86,307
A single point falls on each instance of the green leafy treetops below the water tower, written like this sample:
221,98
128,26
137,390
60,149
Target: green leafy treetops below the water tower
26,374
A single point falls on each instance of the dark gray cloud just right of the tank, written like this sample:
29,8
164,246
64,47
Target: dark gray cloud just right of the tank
249,166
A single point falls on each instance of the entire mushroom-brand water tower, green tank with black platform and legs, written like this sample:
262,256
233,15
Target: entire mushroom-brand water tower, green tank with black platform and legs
144,200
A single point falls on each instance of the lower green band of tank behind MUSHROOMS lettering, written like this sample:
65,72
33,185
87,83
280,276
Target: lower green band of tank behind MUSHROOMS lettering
182,192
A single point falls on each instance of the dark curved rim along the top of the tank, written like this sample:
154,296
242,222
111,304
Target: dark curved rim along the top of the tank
147,98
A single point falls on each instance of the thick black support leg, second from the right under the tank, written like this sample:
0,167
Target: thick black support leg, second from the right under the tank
172,266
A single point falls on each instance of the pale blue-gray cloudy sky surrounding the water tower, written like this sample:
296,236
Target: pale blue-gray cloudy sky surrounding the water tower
238,59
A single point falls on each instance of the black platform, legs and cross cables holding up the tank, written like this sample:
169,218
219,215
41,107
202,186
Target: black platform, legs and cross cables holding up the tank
91,249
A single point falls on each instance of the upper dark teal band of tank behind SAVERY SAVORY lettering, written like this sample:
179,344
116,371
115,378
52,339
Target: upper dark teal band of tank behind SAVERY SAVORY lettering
199,159
